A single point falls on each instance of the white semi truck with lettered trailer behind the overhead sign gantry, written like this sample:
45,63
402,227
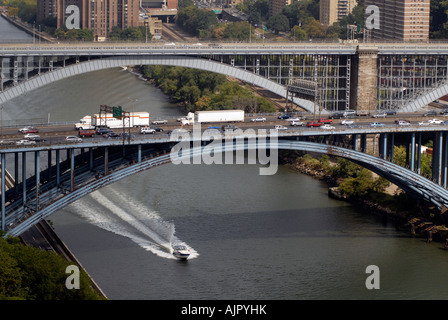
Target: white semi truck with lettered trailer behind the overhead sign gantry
136,119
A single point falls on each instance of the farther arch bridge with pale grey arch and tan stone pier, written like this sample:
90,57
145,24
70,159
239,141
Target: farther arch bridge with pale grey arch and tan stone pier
402,77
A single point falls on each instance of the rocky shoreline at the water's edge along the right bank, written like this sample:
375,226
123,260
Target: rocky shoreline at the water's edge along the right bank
416,225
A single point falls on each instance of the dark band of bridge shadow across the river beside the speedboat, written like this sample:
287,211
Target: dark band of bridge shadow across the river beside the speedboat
324,222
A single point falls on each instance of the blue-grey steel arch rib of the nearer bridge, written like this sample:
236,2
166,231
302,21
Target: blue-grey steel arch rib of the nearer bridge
409,181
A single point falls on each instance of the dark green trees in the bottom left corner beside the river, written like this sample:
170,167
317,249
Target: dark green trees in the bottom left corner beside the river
27,273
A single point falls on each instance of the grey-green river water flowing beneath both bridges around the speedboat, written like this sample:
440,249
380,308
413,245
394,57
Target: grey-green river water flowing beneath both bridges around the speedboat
273,237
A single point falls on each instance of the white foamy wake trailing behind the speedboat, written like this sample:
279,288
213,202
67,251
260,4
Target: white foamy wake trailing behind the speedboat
133,220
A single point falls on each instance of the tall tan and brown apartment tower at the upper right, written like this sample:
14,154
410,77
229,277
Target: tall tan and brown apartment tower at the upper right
402,20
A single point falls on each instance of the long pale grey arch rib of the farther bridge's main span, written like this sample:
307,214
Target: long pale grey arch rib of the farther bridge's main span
170,60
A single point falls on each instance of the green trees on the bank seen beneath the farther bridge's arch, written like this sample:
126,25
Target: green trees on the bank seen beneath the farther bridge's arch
198,90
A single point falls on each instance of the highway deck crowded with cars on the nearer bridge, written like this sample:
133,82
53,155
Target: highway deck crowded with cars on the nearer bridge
157,128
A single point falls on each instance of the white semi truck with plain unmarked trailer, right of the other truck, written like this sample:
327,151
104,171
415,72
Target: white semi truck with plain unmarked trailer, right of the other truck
213,116
